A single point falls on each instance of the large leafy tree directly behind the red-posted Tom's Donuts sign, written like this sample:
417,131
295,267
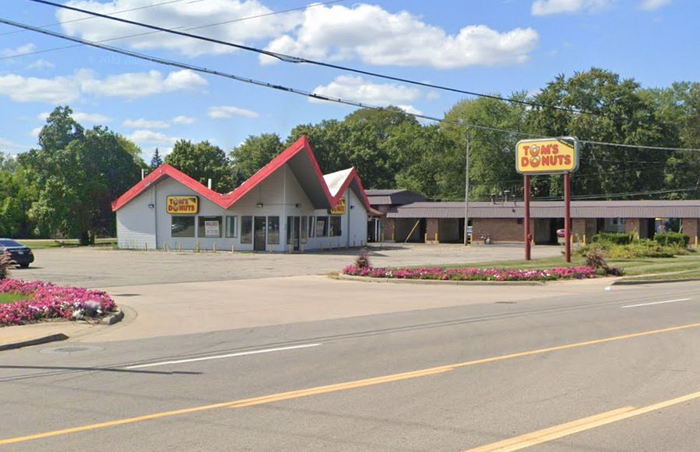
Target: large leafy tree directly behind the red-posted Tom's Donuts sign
612,110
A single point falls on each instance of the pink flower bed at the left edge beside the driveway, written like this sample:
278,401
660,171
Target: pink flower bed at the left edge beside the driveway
48,301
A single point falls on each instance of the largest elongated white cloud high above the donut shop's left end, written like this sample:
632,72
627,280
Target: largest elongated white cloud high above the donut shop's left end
139,84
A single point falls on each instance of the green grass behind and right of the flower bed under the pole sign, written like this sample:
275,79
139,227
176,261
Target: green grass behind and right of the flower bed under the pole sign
690,264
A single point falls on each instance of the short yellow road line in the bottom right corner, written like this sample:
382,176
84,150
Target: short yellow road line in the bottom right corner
580,425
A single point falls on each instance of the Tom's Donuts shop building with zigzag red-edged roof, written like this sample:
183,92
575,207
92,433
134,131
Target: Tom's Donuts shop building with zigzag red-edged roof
287,206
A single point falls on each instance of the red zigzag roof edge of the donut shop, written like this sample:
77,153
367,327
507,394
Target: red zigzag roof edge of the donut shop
301,147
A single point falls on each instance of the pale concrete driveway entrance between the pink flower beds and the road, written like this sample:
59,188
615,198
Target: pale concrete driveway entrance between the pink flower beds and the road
189,308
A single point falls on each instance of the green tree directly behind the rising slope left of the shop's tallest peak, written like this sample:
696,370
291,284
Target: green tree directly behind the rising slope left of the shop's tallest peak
254,153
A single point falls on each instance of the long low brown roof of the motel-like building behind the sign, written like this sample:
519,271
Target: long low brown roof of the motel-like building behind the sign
551,209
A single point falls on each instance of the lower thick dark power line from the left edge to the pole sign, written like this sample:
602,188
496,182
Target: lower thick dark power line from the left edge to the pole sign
278,87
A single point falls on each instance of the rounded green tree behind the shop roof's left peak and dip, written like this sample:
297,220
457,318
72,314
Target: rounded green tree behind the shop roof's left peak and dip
202,161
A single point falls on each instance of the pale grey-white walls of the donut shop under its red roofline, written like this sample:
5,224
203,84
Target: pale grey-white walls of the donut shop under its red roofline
280,194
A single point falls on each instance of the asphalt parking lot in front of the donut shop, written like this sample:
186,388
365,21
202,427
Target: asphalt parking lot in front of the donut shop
103,267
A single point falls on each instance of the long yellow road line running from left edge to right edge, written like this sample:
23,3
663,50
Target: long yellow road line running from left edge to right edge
339,386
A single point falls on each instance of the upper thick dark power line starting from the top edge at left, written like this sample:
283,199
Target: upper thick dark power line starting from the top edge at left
295,59
